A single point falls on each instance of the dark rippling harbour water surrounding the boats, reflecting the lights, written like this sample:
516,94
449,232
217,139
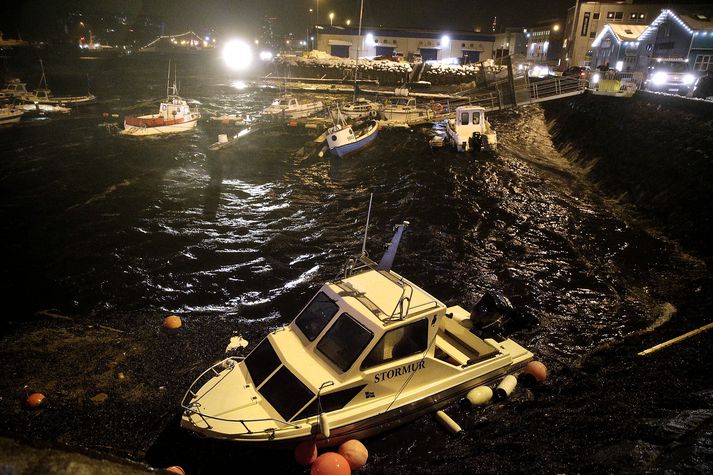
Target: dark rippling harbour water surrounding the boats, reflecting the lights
109,234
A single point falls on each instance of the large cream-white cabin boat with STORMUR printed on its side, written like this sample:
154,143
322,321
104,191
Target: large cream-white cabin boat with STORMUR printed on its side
370,351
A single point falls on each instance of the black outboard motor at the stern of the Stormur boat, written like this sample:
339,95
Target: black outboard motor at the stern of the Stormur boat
495,317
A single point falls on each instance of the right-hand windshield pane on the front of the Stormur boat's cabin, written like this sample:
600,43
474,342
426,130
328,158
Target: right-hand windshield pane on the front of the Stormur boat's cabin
344,341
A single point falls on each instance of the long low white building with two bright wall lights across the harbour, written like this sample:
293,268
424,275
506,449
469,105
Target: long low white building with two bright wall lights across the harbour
432,45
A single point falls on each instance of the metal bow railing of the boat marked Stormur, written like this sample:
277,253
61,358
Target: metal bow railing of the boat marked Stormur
193,408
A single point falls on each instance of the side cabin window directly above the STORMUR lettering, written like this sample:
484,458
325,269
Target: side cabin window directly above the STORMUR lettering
399,343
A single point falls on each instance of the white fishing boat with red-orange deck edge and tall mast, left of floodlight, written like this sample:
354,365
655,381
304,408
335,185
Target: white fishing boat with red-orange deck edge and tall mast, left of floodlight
174,115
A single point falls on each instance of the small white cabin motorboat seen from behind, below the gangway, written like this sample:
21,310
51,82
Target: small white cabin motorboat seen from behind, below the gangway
470,130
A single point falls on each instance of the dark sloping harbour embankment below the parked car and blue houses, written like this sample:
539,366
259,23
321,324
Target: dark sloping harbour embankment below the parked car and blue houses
652,151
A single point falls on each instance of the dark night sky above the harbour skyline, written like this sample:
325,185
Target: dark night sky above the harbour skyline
241,17
